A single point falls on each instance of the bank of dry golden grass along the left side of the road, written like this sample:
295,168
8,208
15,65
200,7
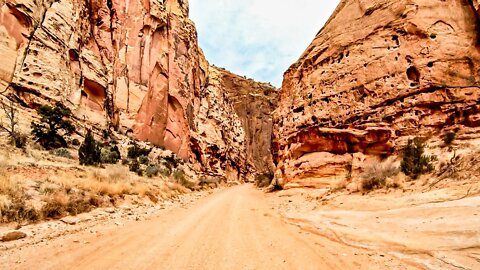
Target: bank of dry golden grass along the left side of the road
71,191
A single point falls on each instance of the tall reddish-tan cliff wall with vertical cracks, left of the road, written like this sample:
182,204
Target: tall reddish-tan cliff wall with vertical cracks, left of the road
132,66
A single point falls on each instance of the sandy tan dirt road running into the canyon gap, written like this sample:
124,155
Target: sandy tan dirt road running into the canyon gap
234,228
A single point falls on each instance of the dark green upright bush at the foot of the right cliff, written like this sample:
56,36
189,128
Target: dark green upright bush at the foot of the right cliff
415,162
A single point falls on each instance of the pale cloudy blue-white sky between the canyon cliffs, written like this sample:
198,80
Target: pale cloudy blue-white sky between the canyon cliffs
258,38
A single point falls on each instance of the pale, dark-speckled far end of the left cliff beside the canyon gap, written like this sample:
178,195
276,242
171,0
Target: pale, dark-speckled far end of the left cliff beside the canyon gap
219,141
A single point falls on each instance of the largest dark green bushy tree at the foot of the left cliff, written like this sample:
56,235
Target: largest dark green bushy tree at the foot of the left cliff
53,126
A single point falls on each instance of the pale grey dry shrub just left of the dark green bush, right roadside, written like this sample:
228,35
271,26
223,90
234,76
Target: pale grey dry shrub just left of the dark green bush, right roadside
375,175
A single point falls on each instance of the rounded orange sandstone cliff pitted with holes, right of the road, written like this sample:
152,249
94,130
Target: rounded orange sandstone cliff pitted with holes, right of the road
377,72
